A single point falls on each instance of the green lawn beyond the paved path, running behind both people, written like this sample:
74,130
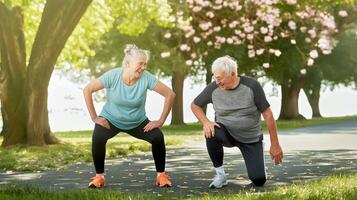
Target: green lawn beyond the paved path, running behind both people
76,146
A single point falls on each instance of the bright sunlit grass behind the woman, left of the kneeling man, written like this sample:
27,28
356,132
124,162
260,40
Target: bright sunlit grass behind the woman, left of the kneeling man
75,148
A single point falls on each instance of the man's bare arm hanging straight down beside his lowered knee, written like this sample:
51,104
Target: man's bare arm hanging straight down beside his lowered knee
276,152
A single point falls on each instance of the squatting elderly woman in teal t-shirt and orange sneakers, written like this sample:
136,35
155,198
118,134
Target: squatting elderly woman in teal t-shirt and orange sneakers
124,111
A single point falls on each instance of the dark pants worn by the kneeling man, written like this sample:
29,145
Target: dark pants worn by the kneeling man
252,154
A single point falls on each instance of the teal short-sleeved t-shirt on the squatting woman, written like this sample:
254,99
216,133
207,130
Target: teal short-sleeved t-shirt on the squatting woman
125,105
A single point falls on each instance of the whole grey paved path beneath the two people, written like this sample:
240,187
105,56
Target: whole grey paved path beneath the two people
310,153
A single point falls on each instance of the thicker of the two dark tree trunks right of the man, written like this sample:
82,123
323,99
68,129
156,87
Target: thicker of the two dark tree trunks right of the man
289,100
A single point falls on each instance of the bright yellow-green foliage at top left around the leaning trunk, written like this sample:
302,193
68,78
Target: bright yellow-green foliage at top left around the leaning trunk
128,17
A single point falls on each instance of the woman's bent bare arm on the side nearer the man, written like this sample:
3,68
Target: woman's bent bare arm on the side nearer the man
169,95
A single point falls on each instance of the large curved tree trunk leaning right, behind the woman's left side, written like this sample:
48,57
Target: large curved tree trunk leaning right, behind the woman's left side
58,21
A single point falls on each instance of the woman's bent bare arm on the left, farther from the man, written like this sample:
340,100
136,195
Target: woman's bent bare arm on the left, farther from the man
92,87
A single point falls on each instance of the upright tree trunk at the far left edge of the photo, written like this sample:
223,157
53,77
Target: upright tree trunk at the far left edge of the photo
13,73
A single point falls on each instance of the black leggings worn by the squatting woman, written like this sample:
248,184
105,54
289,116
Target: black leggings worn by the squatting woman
101,135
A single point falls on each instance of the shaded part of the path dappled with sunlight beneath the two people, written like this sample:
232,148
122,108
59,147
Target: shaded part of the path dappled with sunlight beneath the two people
191,171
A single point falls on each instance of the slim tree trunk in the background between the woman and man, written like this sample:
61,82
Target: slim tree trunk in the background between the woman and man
177,86
